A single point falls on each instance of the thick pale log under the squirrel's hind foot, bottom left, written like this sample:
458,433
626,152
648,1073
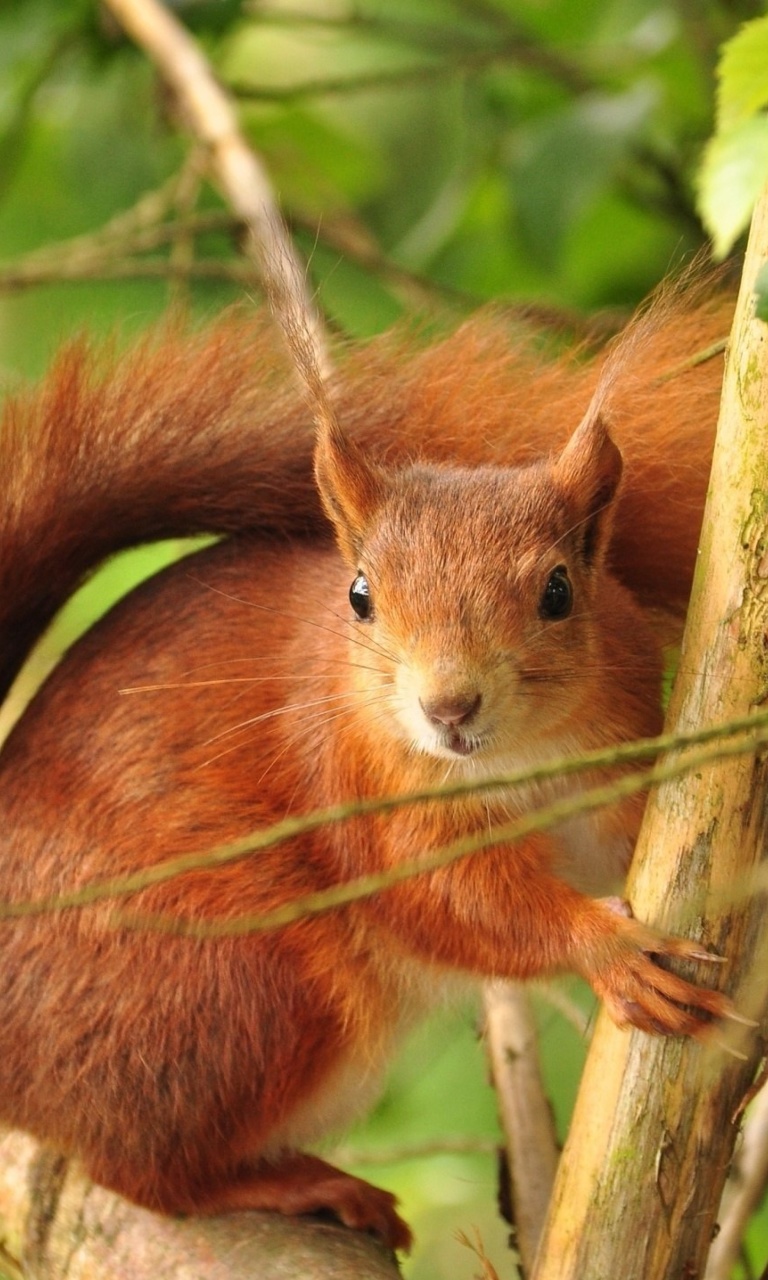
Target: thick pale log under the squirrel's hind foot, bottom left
56,1226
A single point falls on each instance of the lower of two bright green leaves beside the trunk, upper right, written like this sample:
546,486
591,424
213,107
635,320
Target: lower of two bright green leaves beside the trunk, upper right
733,176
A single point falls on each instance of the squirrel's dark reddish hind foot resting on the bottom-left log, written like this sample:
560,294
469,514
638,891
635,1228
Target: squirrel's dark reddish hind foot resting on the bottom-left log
295,1183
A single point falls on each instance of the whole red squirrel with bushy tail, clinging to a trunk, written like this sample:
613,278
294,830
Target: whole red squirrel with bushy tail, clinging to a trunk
487,606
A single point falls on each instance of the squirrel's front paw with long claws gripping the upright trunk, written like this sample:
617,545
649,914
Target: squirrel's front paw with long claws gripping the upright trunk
638,991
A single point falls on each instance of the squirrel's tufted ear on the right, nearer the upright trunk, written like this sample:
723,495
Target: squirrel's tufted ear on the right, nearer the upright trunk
588,472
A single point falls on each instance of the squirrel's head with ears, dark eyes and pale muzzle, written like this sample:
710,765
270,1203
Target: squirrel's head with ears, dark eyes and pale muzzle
474,591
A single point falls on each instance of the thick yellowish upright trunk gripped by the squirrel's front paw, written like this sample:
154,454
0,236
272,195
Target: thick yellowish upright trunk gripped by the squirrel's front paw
652,1139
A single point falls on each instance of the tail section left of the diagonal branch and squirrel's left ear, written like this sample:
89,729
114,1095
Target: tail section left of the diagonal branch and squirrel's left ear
182,435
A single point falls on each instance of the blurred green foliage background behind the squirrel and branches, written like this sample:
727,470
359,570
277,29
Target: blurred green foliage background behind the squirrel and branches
429,154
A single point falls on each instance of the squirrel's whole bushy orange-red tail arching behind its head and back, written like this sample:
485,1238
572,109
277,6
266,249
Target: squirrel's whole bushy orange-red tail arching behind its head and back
211,433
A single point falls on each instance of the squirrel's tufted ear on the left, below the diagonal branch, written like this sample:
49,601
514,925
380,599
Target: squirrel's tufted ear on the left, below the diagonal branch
351,488
